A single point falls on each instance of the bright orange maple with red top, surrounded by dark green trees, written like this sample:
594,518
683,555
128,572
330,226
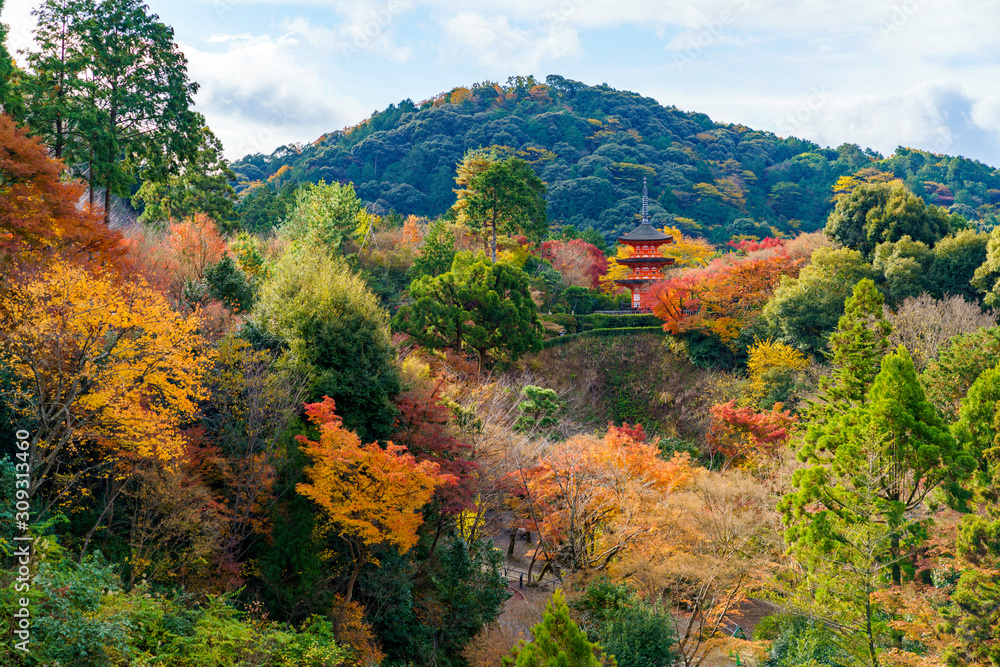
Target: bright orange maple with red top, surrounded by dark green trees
372,494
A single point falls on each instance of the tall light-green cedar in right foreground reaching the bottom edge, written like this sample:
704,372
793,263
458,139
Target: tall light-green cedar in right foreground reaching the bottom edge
853,517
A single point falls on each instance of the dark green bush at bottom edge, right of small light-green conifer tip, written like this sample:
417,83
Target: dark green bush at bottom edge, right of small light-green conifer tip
636,633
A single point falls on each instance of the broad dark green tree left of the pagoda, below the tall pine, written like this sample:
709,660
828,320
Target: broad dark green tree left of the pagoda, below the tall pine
476,306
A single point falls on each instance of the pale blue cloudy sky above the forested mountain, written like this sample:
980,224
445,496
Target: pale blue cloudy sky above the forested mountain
917,73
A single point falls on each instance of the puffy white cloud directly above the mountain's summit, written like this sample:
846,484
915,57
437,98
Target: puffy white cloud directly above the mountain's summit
494,43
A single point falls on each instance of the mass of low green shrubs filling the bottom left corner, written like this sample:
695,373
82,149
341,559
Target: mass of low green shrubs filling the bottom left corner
81,615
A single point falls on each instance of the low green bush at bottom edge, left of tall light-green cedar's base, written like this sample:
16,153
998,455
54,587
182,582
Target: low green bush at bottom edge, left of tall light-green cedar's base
797,641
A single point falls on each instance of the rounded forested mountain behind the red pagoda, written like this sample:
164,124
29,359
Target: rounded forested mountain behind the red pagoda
593,145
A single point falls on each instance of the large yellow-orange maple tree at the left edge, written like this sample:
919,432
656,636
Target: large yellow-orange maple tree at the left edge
100,360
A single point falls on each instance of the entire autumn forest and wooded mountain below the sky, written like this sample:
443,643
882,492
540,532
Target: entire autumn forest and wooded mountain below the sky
375,401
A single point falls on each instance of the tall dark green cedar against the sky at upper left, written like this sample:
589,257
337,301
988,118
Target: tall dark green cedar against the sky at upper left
122,98
